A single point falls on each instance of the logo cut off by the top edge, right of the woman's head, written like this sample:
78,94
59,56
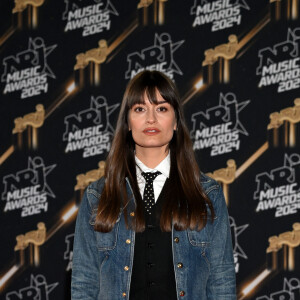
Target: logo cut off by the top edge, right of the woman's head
221,14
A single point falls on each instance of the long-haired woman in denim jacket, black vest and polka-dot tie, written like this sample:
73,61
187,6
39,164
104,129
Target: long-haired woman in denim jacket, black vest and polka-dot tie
154,227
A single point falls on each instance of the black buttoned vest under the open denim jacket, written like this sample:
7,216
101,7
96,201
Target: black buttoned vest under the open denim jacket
153,271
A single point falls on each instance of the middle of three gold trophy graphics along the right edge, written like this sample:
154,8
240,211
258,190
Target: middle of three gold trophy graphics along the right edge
284,127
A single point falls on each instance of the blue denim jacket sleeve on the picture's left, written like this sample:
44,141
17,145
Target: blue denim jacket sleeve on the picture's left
85,270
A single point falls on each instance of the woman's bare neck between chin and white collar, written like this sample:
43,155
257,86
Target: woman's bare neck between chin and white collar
151,157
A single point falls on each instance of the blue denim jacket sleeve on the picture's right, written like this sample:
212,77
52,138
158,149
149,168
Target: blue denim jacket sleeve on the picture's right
221,282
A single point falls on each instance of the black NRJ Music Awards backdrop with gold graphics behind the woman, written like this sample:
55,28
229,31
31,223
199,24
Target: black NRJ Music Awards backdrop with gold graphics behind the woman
64,66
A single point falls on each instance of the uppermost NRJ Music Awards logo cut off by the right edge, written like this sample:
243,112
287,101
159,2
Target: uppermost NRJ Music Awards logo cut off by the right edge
280,65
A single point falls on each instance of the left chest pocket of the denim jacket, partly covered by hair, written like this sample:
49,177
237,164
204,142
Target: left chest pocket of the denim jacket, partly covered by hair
105,241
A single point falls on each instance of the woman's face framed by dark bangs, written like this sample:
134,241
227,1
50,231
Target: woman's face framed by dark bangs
152,125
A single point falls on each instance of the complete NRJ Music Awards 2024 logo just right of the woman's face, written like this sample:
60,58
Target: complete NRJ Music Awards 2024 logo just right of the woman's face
219,127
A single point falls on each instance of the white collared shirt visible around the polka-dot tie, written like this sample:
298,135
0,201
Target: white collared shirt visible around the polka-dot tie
159,181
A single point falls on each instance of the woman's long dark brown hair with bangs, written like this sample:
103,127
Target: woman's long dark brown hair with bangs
186,206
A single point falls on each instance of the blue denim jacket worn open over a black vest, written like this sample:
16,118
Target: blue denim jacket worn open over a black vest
102,262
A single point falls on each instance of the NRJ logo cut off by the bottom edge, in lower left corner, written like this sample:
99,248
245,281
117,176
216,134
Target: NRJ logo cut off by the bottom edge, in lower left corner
38,289
